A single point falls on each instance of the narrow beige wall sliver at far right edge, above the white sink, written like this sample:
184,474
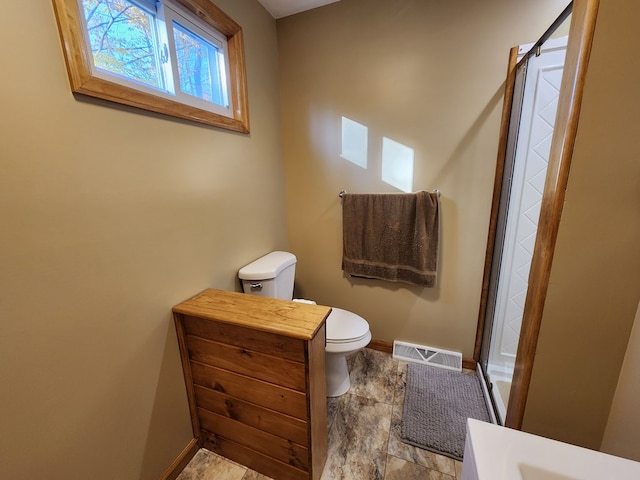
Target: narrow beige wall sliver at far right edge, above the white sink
622,434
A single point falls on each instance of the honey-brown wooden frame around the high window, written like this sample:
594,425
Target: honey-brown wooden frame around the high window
79,63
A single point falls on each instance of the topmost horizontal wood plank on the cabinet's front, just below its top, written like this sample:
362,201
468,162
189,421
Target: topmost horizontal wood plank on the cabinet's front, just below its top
258,341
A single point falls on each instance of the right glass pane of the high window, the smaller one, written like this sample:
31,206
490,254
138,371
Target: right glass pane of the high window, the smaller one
200,66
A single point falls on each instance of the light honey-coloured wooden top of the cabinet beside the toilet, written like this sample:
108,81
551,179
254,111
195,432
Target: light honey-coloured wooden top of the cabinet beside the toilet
282,317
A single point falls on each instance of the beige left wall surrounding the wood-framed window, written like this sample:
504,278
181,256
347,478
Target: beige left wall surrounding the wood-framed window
109,218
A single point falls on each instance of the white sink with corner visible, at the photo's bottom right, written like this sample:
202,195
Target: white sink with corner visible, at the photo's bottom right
498,453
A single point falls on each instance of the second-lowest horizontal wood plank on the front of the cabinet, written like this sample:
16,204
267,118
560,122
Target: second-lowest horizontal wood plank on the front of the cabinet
262,442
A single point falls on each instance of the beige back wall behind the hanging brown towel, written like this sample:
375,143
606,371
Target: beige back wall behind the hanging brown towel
428,75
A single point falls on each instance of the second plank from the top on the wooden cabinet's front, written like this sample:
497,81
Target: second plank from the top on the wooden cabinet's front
247,362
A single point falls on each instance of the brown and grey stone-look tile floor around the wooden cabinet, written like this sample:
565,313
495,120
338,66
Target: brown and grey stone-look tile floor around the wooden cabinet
364,433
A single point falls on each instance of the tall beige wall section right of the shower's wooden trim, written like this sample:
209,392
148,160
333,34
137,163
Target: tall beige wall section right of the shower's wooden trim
594,285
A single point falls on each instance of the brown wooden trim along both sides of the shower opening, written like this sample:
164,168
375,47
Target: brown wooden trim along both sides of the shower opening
581,32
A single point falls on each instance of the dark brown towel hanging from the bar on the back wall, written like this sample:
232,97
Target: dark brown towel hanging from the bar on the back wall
391,236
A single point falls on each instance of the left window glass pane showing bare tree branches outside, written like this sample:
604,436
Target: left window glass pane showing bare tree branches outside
123,40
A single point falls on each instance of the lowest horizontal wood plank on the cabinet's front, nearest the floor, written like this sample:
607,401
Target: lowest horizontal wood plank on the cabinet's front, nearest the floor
256,461
